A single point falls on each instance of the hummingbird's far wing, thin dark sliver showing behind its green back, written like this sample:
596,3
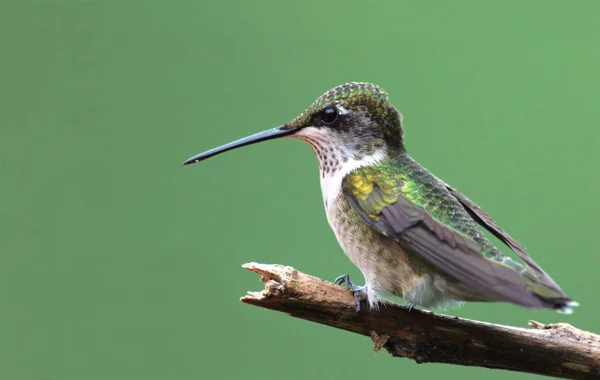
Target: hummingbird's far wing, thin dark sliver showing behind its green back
488,223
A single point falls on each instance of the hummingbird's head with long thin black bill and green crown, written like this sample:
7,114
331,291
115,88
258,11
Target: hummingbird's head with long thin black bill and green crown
353,122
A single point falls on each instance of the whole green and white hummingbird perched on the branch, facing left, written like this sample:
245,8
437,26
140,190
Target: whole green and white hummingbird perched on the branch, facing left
409,233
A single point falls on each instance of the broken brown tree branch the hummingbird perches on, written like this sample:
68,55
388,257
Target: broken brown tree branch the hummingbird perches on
558,350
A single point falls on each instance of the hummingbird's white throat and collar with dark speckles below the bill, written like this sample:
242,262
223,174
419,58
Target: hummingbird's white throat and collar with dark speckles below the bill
336,160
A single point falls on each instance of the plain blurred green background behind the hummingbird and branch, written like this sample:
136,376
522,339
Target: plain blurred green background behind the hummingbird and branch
117,263
